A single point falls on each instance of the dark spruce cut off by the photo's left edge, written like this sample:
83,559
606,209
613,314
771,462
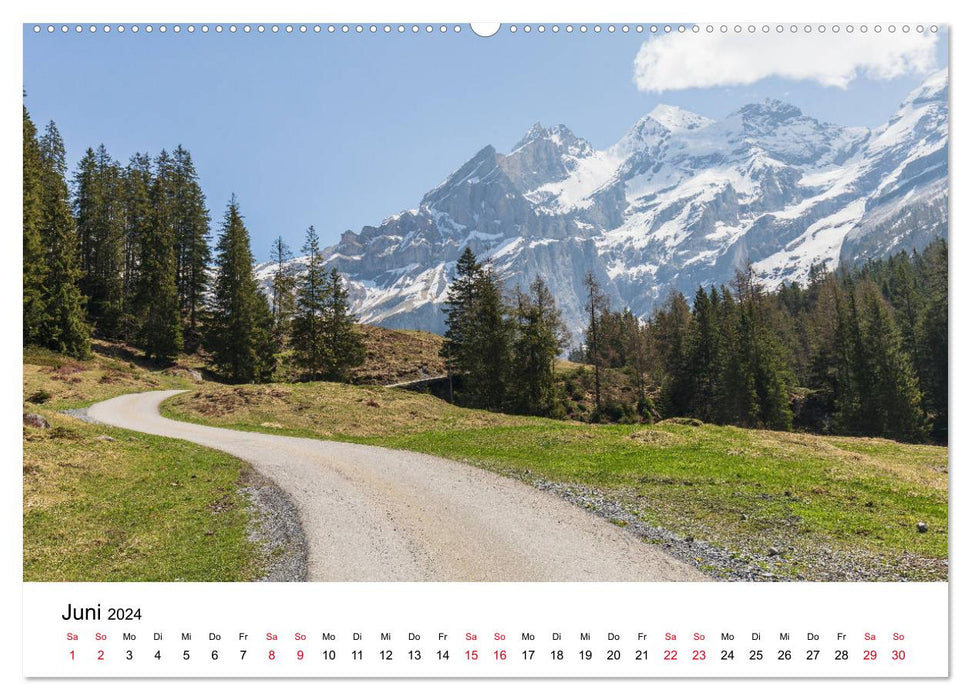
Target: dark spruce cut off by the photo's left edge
34,258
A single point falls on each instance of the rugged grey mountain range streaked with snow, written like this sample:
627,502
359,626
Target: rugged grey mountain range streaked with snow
679,201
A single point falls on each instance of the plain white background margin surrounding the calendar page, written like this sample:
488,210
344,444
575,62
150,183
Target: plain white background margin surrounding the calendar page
440,10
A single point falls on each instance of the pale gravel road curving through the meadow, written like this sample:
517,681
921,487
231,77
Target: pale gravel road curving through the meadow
375,514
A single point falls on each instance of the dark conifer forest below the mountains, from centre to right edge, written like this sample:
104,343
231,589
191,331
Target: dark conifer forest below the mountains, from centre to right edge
854,352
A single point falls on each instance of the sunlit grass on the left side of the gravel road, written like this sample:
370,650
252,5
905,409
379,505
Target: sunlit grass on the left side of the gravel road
136,508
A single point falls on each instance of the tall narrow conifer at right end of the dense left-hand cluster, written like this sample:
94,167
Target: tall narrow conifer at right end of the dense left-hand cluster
191,223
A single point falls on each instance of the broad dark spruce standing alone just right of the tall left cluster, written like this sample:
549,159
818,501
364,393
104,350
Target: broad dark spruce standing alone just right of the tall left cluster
239,334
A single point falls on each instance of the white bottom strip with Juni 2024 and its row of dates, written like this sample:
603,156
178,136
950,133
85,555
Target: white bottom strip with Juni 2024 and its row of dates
486,630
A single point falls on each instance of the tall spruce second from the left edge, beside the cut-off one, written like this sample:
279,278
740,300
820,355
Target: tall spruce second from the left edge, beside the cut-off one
63,327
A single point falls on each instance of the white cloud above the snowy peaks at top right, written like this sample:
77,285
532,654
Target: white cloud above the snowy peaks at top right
679,61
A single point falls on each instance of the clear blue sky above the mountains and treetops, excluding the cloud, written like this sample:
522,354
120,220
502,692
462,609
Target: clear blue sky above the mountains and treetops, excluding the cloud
340,131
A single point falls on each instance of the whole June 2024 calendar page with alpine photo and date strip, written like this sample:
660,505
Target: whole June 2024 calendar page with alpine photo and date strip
517,350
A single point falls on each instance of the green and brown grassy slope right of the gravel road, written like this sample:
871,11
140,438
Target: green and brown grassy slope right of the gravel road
745,490
